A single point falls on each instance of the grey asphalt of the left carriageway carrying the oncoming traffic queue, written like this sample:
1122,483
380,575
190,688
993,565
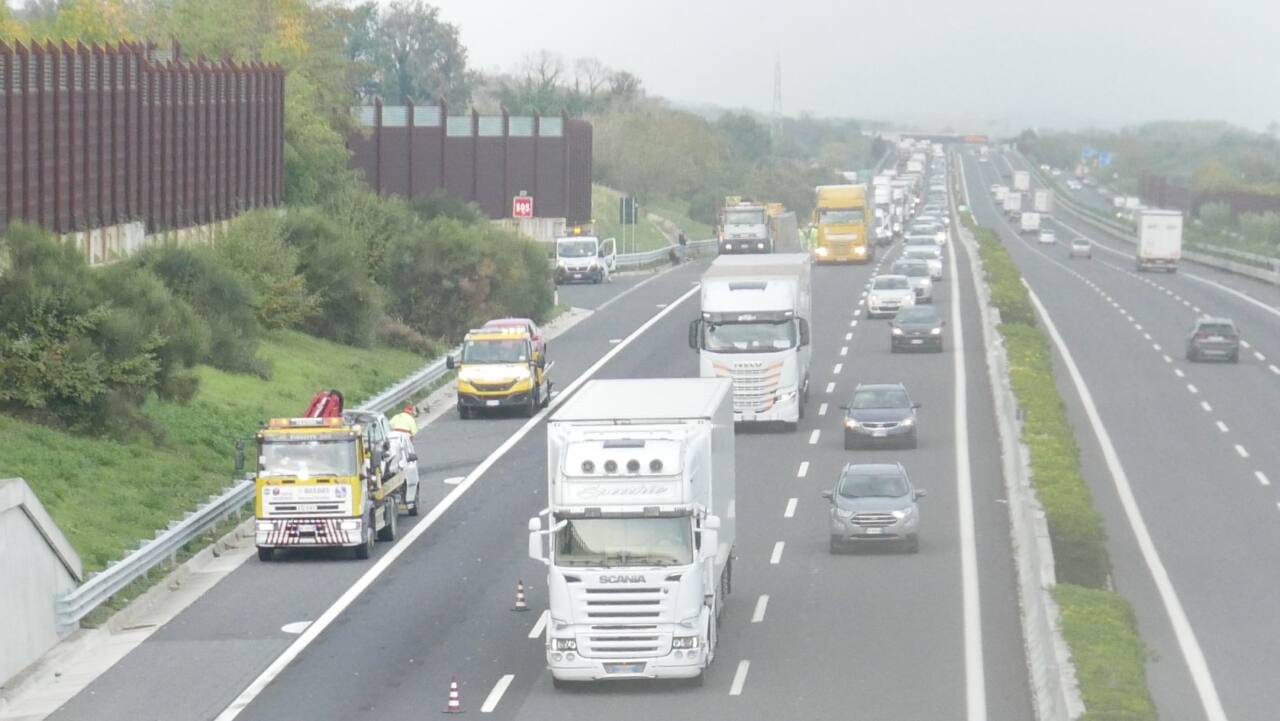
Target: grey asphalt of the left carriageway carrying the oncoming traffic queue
876,636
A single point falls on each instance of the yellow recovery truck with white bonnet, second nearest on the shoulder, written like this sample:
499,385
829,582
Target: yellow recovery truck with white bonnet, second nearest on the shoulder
500,368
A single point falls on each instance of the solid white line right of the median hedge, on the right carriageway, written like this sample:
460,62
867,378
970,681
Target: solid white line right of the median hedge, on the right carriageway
1183,632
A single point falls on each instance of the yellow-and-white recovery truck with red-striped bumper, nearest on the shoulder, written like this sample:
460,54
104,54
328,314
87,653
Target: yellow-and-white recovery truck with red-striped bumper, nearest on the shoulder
322,483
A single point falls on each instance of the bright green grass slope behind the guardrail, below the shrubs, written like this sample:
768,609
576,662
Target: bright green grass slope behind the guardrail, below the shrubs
107,496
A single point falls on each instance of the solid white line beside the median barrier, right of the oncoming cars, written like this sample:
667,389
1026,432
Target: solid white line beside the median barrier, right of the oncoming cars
975,664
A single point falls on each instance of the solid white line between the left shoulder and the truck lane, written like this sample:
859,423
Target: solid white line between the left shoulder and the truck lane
429,521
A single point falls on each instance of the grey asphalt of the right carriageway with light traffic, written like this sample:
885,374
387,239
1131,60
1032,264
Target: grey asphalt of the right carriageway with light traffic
1195,442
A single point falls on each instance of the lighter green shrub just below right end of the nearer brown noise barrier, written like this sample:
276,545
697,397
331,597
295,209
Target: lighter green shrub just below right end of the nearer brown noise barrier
254,249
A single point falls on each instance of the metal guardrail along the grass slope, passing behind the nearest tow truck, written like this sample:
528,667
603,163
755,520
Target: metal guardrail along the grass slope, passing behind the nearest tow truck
74,606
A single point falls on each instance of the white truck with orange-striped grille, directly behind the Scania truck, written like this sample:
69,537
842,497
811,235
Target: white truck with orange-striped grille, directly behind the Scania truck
755,330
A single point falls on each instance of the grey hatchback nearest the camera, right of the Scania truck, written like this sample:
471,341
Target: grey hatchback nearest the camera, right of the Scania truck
875,504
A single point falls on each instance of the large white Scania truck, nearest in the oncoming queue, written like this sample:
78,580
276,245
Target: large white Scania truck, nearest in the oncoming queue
639,531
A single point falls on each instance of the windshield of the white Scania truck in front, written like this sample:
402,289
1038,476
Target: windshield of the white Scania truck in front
625,542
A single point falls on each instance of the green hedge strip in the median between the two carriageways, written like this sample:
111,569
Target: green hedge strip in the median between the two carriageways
1098,624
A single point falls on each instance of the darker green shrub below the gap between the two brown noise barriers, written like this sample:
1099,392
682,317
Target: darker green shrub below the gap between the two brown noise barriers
336,267
